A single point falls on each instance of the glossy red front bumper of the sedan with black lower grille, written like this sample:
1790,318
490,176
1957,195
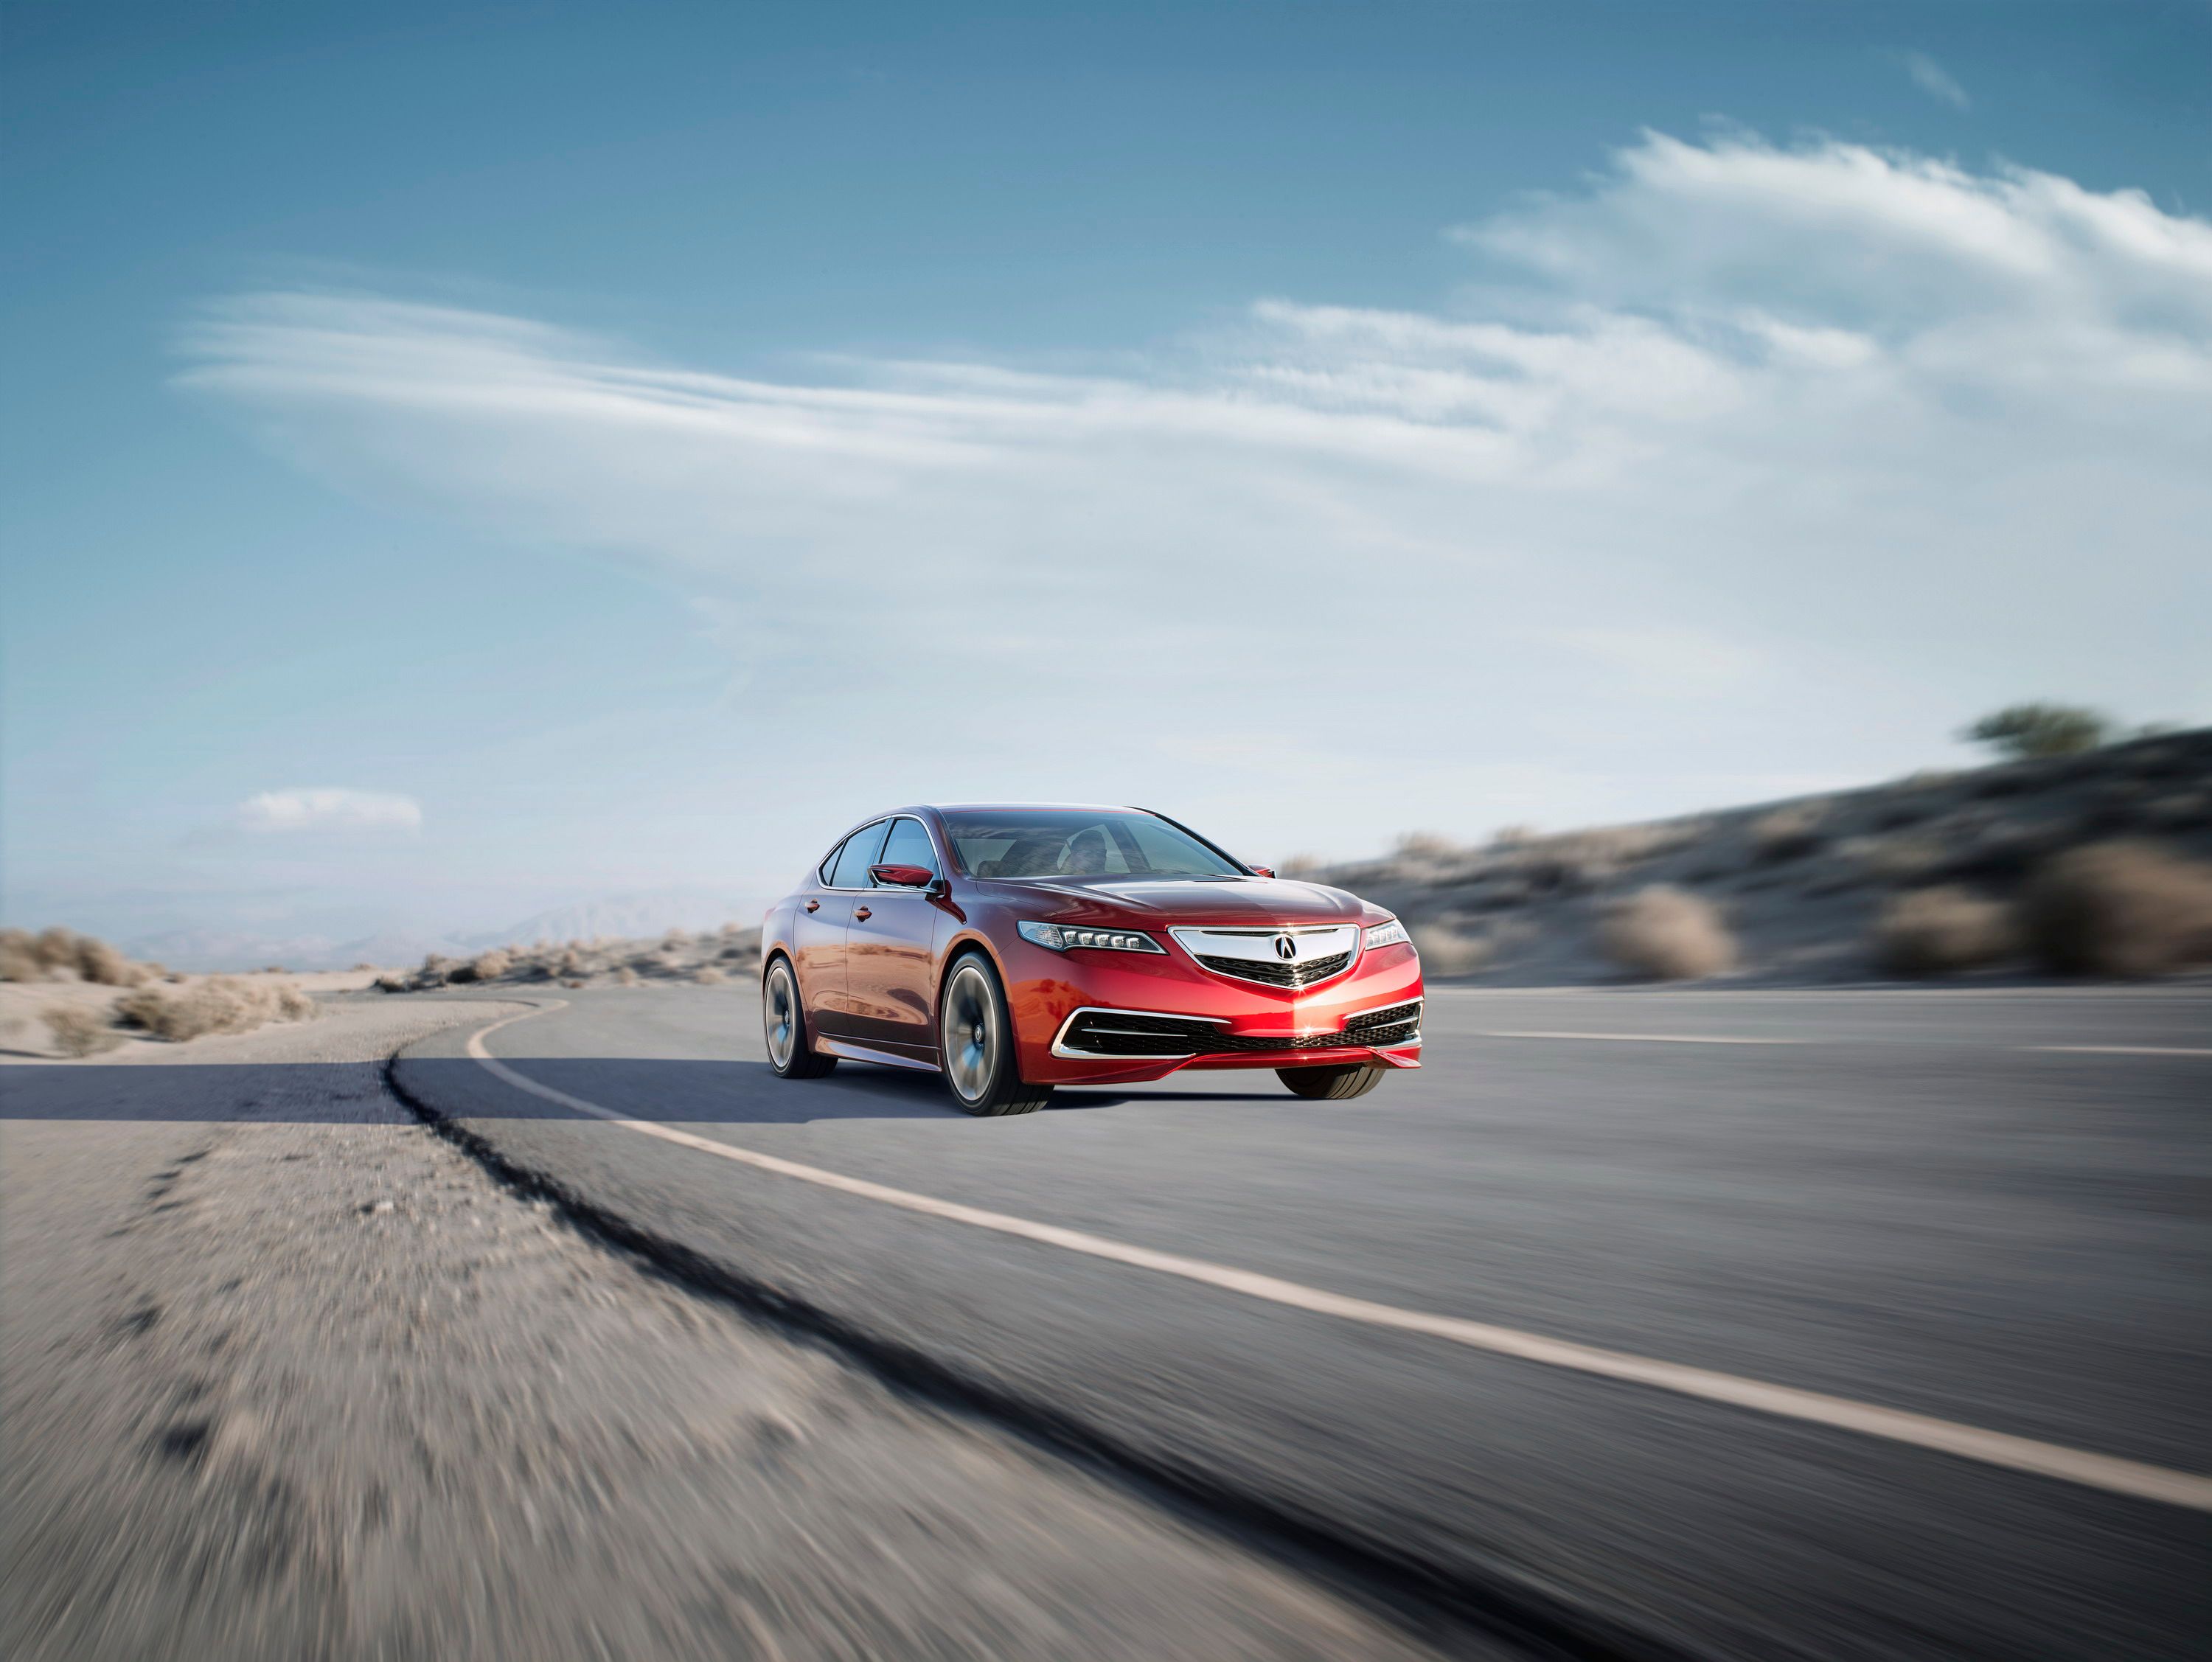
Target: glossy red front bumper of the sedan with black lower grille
1167,1015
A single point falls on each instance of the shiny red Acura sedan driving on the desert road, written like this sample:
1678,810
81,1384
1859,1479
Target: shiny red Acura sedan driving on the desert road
1023,948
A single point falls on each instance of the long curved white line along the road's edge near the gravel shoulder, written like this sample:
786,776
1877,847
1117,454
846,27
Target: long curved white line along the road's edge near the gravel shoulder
1788,1402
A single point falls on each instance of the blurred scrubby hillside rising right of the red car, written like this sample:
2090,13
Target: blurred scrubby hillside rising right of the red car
1802,889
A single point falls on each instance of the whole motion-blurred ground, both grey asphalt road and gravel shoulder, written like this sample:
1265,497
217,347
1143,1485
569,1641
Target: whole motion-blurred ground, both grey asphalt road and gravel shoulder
289,1375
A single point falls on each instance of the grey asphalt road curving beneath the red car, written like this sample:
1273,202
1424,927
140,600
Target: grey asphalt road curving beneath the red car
1976,1207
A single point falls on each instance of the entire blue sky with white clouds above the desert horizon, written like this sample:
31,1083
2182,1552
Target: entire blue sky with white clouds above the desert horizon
605,448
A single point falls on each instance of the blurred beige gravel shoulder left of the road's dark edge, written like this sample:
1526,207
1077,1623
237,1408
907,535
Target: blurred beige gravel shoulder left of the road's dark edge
286,1375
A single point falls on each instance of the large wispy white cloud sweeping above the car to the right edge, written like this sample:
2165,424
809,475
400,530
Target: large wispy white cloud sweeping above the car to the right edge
1841,442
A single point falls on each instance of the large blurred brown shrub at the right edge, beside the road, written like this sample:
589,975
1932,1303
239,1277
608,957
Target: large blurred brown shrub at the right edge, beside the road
2120,911
